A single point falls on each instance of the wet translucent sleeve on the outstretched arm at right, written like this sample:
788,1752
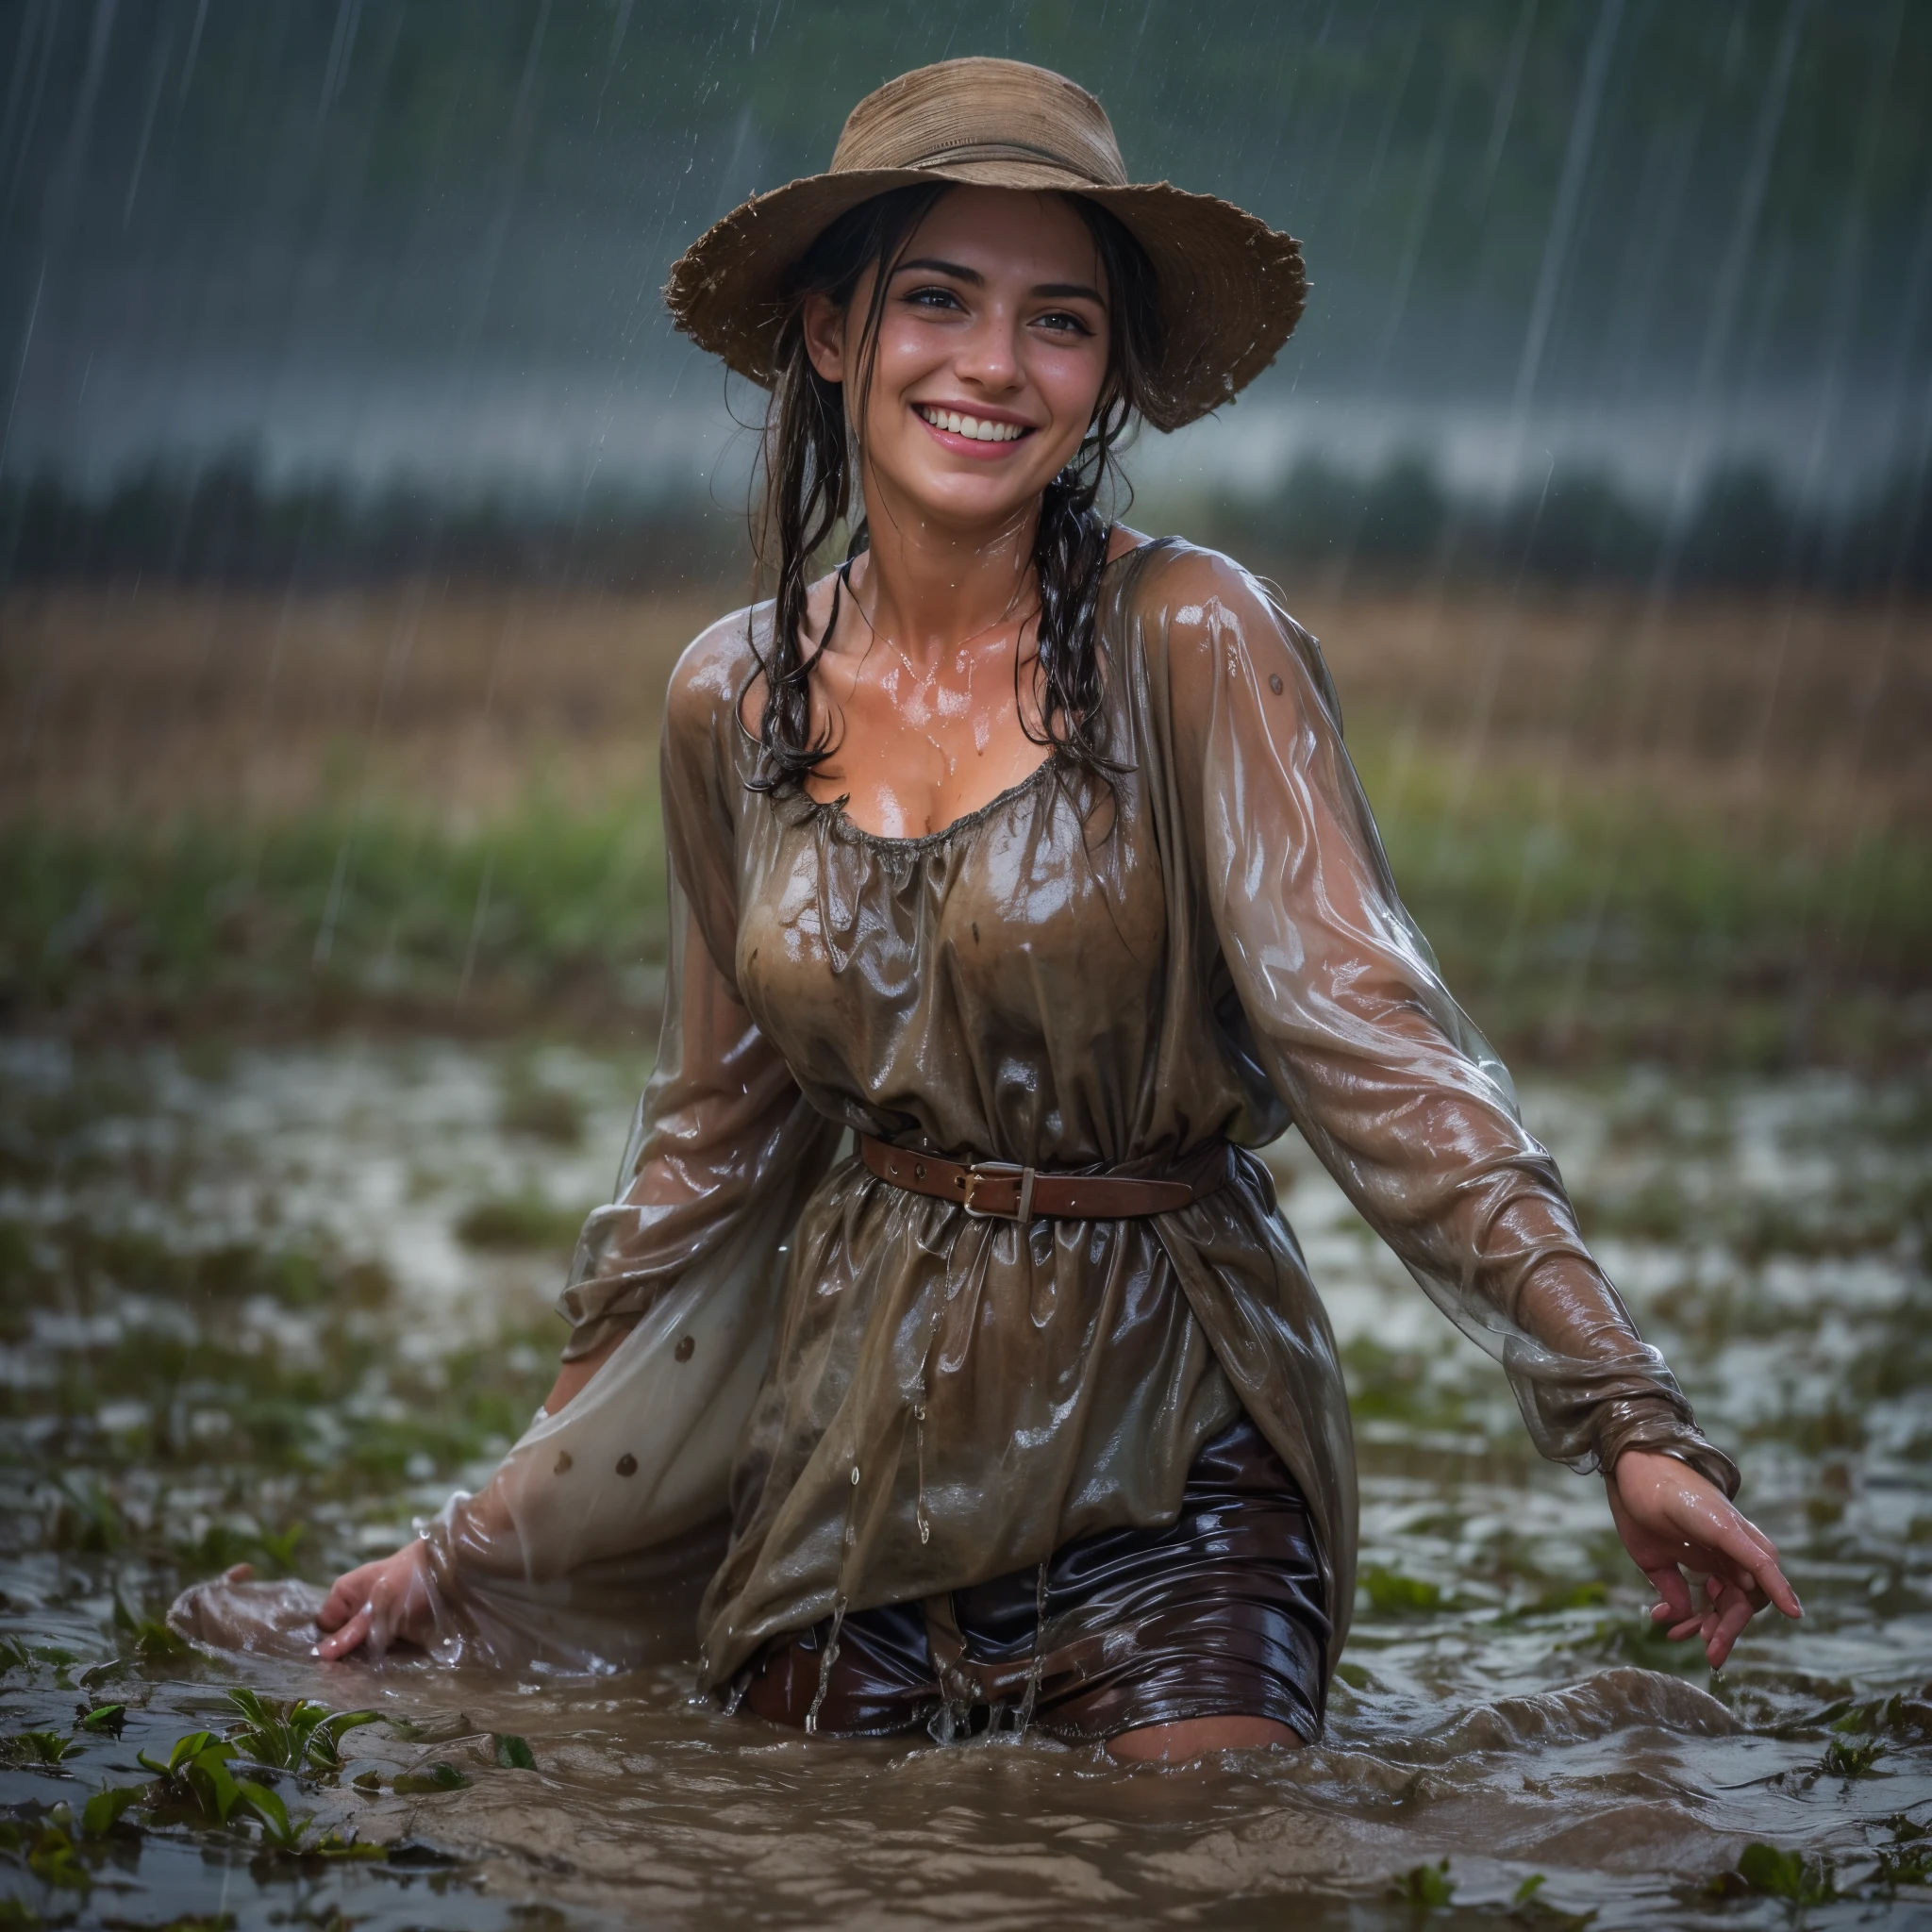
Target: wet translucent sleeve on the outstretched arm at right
1338,1000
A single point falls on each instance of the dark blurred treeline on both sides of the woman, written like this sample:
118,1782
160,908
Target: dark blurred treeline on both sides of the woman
229,525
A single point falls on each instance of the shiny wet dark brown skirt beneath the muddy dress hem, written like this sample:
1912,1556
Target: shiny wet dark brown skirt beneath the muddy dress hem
1222,1614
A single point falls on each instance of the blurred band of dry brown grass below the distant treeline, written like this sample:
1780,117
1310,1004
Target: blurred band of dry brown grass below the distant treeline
142,706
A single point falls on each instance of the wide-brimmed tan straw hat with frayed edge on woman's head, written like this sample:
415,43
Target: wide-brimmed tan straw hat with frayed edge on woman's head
1232,289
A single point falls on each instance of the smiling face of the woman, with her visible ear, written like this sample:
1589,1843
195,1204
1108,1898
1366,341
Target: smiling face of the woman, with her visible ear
992,358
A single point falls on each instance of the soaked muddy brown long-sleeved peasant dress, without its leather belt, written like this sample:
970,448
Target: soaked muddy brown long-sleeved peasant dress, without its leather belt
1172,969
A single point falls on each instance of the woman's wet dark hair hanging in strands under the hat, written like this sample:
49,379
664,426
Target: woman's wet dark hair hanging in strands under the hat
812,480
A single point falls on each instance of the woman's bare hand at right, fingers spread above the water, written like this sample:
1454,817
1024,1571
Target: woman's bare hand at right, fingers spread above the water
1670,1516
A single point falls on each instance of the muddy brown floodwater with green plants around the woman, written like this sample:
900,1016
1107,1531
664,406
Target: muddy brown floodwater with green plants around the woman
268,1307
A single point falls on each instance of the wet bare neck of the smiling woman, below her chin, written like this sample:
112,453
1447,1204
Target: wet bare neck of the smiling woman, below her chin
930,588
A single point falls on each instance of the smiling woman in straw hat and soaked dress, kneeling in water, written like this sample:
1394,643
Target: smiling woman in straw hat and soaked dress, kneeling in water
1027,853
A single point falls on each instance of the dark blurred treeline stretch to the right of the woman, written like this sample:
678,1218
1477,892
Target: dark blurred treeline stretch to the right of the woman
1740,530
